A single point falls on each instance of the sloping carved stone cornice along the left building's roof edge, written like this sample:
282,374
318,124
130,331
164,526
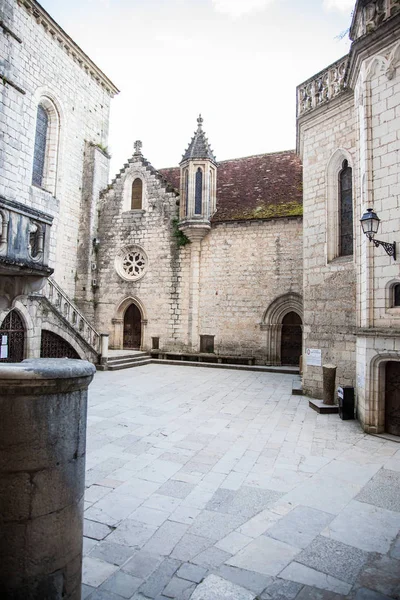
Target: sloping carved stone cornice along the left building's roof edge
69,46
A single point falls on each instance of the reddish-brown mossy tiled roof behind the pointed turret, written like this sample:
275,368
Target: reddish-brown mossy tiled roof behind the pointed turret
256,187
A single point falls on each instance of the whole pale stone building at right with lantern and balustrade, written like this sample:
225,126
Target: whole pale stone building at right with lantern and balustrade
349,142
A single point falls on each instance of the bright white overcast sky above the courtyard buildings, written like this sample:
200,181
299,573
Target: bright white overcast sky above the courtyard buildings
236,61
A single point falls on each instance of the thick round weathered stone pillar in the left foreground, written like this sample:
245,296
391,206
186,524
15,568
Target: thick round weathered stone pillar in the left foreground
43,405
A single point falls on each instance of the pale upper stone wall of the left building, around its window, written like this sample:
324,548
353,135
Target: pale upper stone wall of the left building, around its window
42,62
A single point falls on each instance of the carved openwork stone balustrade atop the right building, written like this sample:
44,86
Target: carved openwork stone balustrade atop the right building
323,87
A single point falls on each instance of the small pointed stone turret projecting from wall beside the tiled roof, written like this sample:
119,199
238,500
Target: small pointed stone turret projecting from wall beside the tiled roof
198,186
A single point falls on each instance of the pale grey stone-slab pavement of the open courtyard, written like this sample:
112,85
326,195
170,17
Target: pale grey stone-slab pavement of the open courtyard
223,481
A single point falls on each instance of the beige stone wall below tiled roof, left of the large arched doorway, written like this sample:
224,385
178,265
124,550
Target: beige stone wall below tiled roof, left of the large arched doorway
245,266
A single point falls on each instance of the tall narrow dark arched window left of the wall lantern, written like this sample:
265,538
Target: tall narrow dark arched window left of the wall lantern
345,210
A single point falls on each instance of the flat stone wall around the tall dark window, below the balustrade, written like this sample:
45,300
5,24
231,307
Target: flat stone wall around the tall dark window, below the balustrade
327,137
